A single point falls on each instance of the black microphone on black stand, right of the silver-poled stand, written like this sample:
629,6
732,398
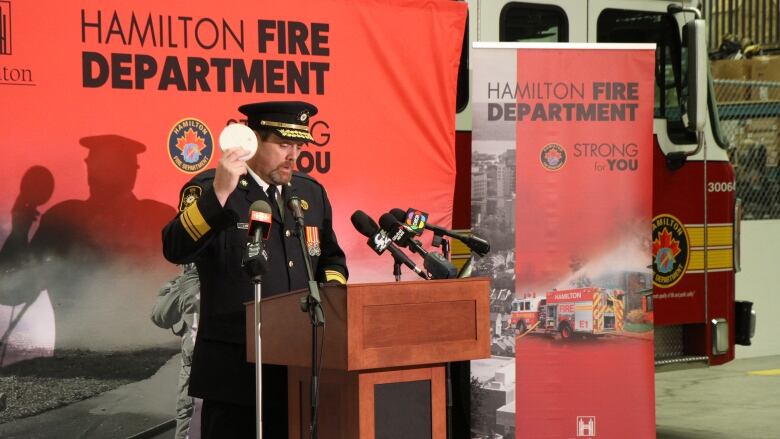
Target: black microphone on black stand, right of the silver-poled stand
313,305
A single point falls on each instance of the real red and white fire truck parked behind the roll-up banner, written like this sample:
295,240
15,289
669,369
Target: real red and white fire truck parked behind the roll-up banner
695,231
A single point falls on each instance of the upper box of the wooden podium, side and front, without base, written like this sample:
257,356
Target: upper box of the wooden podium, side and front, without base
379,325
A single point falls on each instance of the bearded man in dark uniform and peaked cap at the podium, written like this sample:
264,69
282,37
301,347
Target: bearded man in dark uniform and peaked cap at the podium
210,230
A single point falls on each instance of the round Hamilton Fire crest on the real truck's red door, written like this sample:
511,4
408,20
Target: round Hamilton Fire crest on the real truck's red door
670,250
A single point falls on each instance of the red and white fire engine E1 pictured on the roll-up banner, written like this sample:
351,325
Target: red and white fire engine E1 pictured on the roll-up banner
582,311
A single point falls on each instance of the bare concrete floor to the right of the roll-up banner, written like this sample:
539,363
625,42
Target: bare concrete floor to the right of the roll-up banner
737,400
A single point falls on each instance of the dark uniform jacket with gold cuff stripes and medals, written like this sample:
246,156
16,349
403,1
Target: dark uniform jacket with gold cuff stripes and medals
215,239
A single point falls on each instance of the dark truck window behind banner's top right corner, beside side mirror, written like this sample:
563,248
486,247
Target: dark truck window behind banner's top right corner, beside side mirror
623,26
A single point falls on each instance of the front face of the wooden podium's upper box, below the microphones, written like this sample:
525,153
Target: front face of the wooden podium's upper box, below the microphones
421,322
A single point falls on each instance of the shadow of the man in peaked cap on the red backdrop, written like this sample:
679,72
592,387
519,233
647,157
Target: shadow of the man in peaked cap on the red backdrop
96,258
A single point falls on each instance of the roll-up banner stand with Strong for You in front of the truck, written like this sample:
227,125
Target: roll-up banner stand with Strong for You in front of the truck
561,181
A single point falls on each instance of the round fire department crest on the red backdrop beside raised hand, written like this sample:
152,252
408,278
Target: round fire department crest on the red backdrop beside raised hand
190,145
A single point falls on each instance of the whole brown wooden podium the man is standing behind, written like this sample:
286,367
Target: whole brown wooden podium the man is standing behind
385,348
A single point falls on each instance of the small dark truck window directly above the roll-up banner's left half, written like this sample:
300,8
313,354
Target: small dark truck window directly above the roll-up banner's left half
533,23
